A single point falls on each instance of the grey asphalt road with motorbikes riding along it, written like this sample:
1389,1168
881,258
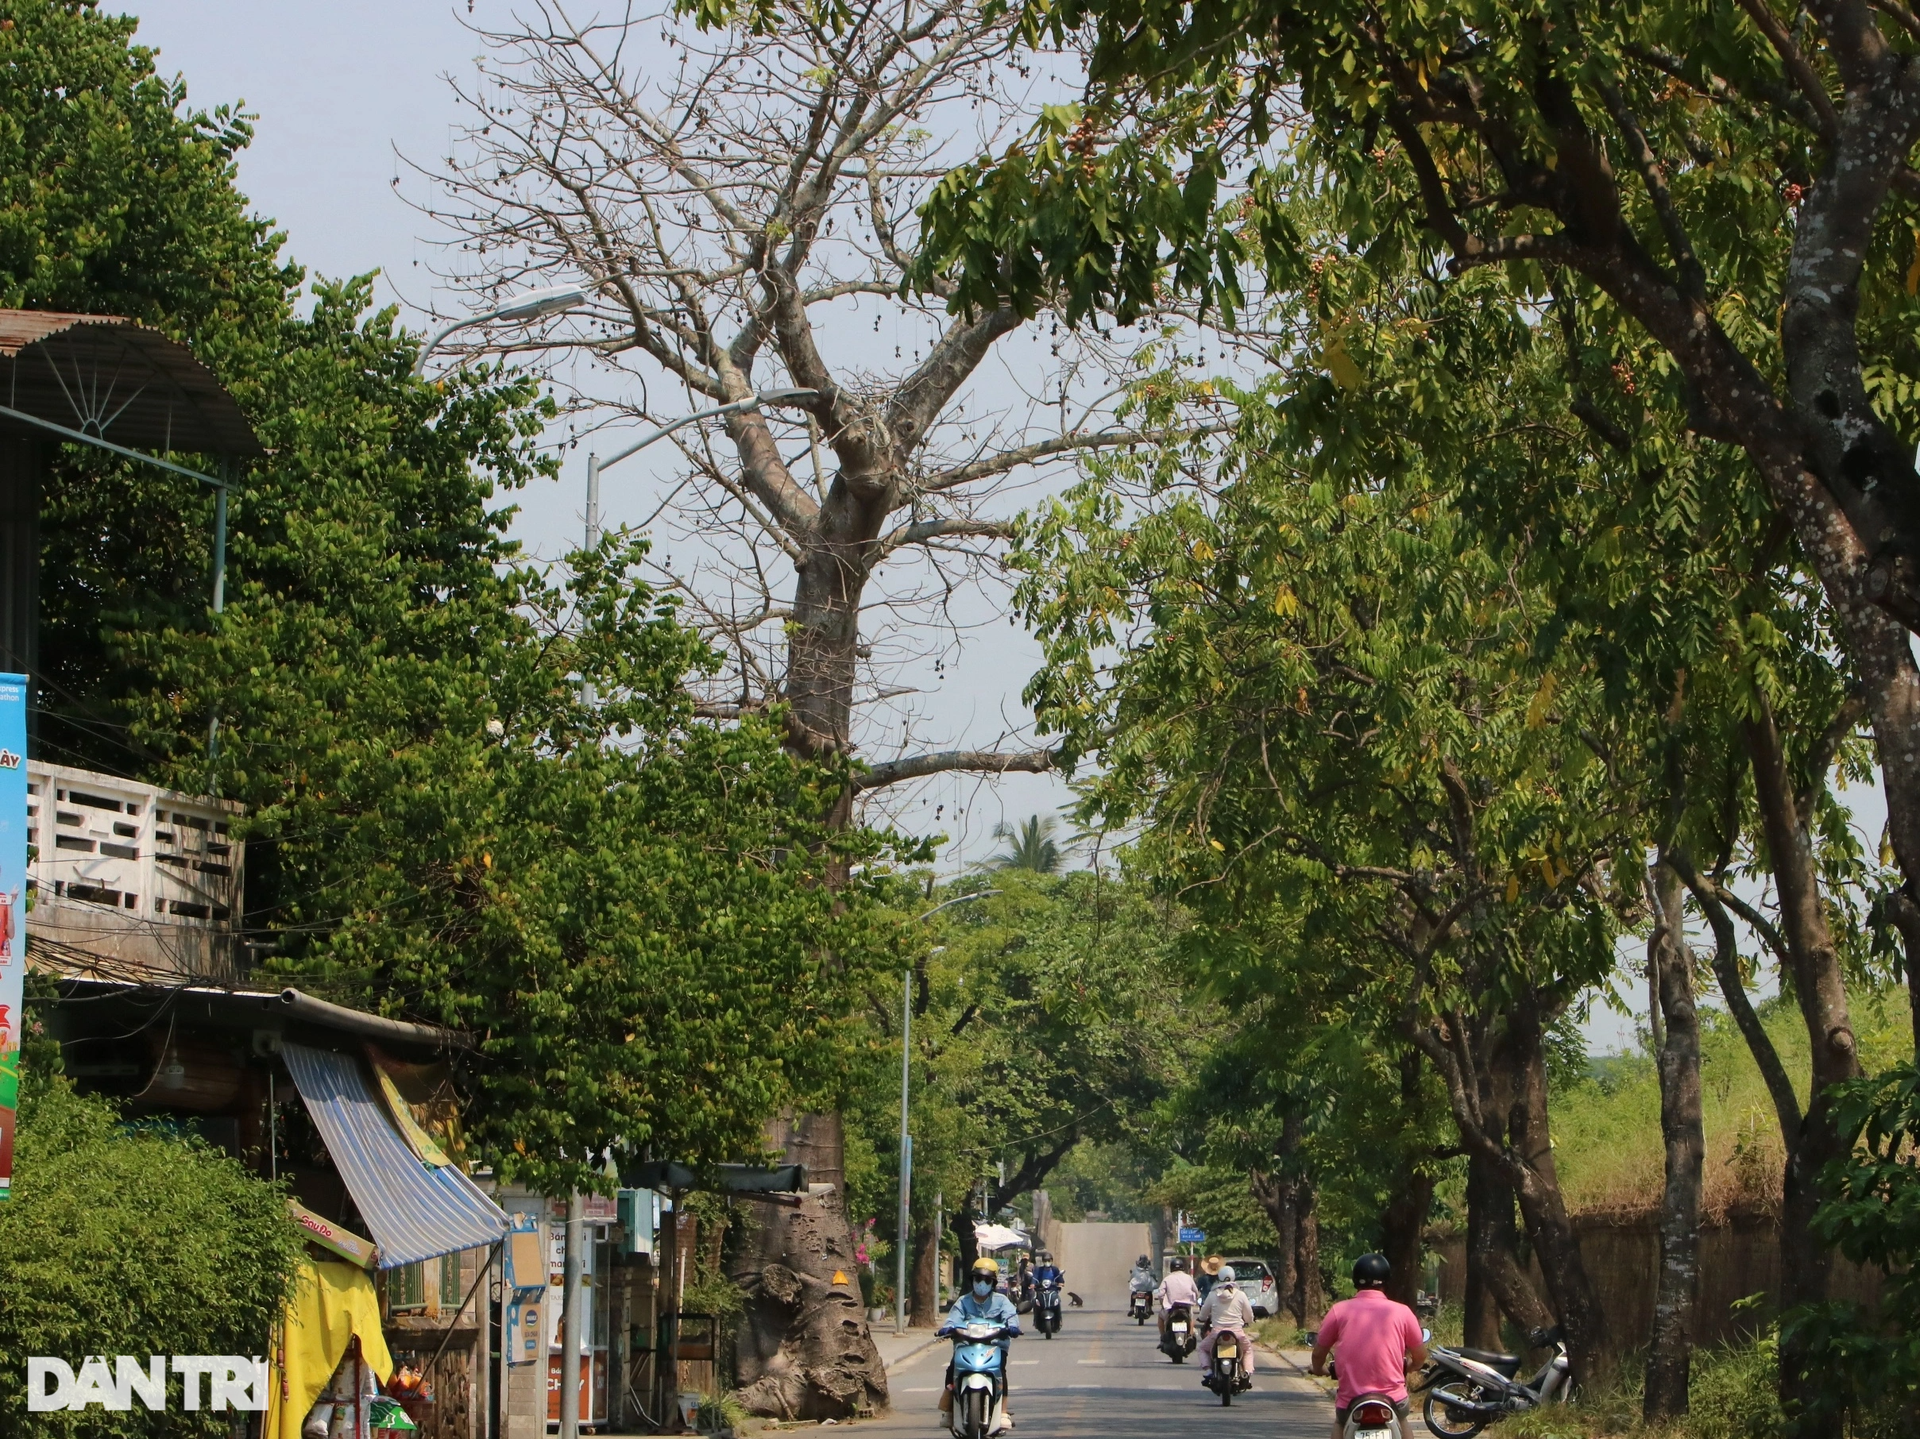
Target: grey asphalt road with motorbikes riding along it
1101,1378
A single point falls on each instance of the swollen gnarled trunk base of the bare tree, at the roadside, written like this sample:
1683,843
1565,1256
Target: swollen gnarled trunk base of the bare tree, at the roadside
804,1350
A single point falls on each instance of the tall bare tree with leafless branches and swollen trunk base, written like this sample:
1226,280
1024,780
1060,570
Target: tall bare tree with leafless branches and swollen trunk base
742,207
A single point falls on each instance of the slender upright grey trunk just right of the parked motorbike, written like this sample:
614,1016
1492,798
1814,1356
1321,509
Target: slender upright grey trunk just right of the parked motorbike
1677,1292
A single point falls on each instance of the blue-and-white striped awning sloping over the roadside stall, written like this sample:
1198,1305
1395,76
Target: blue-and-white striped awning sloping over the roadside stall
414,1209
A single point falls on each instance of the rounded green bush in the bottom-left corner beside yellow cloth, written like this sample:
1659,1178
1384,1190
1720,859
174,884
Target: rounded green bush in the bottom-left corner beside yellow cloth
132,1244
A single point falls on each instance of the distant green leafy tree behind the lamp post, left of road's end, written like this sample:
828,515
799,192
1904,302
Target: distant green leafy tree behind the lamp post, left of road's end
1049,1017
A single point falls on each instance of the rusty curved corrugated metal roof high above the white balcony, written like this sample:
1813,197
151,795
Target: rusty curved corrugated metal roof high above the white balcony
116,379
